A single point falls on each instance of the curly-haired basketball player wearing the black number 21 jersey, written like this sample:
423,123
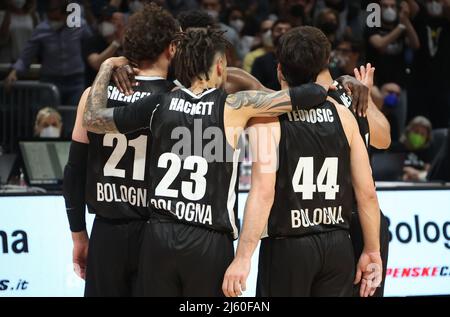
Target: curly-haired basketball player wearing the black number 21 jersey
108,173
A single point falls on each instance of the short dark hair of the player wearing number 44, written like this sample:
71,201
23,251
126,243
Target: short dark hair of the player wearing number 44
303,53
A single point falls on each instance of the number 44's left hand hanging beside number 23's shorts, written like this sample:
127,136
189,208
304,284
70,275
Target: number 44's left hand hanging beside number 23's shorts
234,282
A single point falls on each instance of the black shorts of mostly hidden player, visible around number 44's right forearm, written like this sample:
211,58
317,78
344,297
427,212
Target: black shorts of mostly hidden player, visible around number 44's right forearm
358,245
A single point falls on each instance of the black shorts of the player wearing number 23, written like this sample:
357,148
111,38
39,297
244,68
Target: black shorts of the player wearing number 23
183,260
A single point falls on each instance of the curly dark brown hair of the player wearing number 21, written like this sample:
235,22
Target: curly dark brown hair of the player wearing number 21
149,32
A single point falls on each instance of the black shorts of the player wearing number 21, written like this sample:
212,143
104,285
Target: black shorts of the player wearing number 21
113,258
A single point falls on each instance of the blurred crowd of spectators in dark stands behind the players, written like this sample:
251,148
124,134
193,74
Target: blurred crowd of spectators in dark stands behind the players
410,49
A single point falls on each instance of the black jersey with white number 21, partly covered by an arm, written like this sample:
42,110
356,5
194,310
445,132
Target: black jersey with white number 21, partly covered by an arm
116,185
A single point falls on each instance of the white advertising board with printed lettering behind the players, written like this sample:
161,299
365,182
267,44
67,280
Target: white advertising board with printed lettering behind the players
36,247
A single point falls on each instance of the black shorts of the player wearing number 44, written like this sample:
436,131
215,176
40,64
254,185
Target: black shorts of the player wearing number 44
318,265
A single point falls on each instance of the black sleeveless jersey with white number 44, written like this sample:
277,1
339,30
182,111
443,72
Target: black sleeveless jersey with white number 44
313,191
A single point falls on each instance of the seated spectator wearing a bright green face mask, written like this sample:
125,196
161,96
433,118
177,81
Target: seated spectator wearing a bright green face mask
415,144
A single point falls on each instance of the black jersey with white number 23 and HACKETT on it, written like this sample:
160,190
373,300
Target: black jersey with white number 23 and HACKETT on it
193,168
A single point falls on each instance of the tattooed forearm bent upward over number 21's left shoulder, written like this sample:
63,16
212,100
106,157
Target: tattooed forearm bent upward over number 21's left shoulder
97,118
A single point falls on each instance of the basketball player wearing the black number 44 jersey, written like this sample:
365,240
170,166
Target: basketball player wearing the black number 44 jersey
308,251
